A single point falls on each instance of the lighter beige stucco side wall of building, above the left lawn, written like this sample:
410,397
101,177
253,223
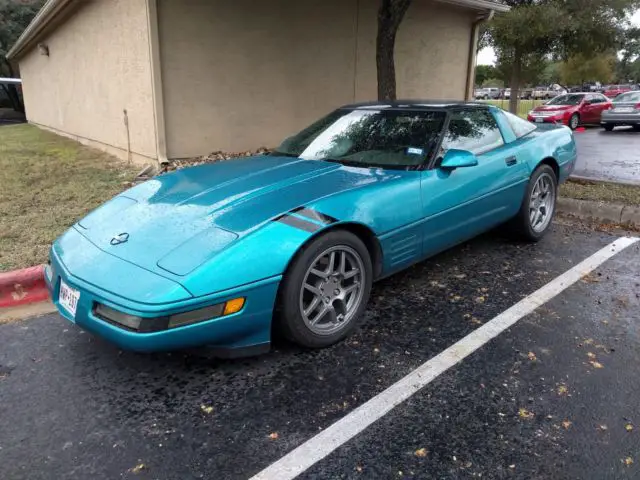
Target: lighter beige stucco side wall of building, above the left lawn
98,66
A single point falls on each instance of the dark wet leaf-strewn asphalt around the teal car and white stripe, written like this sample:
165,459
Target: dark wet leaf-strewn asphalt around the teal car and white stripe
552,397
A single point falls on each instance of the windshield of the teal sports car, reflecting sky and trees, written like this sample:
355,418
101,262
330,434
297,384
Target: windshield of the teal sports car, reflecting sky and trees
368,137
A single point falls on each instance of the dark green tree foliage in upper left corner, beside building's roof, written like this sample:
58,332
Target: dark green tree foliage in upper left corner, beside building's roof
15,15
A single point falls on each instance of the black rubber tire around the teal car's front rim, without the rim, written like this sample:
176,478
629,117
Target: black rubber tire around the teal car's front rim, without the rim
289,318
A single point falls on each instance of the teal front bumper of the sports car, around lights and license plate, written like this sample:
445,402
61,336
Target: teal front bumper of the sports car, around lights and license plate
249,329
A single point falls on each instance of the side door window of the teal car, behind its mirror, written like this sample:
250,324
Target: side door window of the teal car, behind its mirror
474,130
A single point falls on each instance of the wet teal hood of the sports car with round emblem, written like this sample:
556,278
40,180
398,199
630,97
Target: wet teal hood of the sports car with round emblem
199,211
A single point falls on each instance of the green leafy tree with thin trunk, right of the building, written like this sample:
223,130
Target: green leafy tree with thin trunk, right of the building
537,29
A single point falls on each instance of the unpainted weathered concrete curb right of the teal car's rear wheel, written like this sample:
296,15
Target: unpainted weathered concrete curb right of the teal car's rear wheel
601,211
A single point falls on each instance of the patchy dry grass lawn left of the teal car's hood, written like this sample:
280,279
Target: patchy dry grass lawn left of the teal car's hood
47,183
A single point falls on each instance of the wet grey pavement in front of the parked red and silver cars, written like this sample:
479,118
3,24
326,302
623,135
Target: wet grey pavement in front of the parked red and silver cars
611,156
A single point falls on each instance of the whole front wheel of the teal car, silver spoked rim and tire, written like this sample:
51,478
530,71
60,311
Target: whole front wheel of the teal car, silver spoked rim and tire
325,290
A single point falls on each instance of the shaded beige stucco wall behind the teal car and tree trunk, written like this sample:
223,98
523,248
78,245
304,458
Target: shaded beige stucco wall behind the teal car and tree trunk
243,74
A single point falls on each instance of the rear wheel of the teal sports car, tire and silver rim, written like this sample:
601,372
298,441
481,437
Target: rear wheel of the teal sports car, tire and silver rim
539,205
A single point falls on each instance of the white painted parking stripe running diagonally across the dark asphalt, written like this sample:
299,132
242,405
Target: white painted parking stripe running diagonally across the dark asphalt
321,445
